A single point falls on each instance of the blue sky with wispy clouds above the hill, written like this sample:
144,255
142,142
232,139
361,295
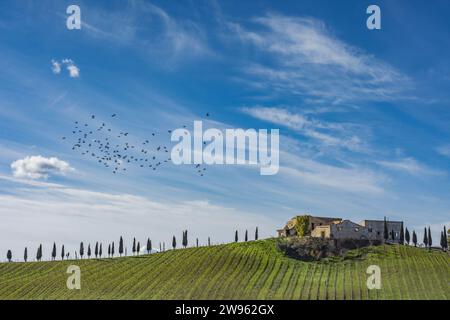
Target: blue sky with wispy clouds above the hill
363,115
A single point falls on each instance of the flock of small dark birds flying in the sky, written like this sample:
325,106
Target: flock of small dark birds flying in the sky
114,151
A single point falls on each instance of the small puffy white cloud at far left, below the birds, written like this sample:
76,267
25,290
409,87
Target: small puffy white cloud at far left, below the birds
38,167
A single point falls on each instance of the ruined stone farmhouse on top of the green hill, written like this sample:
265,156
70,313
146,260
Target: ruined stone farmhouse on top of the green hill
336,228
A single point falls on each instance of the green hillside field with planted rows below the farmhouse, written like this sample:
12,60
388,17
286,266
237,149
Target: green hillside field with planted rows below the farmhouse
252,270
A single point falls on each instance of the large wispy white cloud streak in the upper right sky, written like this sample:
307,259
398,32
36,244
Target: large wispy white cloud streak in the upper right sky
307,60
